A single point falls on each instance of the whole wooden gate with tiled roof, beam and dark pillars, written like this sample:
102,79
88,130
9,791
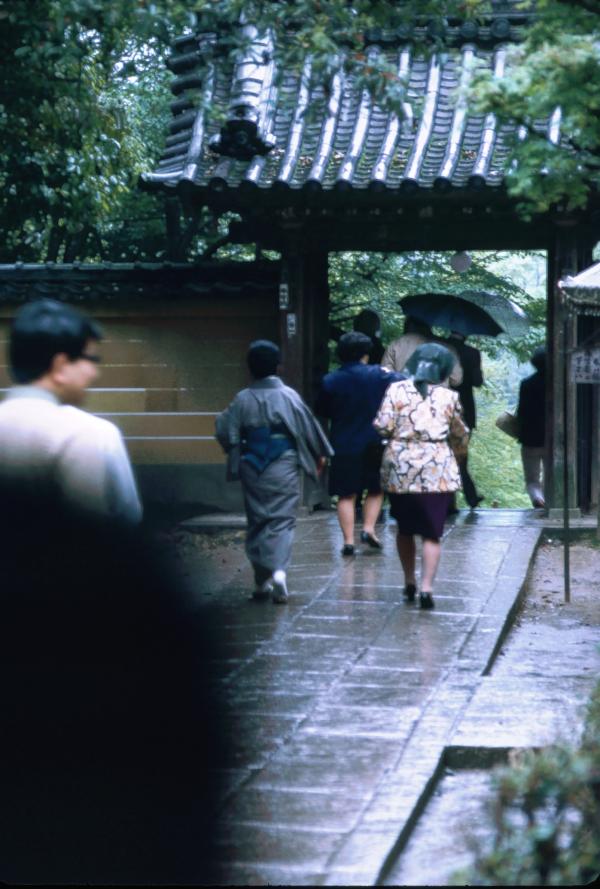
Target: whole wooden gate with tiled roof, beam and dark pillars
310,172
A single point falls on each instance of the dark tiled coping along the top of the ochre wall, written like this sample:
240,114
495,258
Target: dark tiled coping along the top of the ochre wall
81,282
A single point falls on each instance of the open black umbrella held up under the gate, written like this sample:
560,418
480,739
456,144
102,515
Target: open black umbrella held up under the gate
450,312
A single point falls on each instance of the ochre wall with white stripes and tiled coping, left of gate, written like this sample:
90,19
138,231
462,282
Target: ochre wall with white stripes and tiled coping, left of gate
173,356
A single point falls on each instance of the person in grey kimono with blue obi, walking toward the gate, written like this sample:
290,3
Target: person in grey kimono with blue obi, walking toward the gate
268,433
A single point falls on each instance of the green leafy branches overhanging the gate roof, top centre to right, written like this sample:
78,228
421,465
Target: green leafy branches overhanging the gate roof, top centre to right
556,66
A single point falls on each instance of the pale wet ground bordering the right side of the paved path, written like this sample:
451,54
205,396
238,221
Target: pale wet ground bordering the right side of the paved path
536,694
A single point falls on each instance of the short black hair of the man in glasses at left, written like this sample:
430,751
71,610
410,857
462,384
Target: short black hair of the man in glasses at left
45,328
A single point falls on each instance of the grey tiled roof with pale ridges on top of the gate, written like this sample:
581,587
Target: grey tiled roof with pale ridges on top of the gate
287,138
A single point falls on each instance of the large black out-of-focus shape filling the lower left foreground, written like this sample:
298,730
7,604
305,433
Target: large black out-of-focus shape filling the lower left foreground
109,728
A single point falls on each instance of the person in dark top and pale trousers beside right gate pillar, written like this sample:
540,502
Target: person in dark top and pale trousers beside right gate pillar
531,415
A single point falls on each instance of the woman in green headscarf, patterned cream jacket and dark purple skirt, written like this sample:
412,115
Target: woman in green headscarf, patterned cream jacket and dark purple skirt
422,420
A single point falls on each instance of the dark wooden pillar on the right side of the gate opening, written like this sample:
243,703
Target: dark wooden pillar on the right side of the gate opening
566,256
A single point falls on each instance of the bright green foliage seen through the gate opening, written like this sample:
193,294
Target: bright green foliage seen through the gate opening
378,281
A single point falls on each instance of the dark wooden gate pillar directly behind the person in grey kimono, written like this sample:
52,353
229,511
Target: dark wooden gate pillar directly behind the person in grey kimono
304,324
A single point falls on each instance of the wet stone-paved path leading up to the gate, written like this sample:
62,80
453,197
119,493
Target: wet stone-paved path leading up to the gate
342,704
